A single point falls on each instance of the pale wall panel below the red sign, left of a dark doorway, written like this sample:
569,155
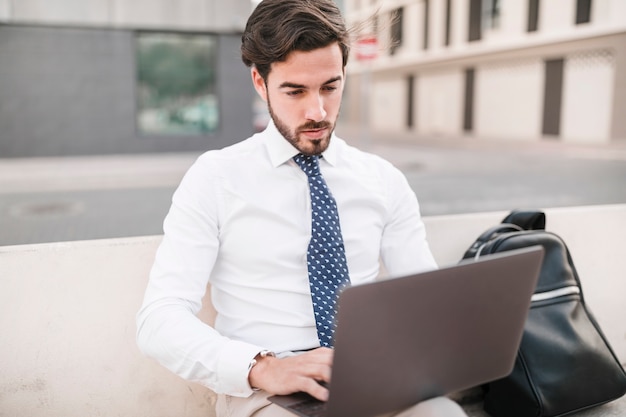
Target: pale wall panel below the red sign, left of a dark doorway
388,107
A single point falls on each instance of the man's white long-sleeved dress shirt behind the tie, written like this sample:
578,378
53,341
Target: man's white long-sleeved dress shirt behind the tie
241,221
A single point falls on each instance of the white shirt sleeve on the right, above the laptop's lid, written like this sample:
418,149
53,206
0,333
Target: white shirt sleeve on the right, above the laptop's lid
404,248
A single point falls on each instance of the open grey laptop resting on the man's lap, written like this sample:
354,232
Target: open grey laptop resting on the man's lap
405,340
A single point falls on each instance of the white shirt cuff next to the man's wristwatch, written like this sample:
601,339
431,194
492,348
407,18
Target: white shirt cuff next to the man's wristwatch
234,367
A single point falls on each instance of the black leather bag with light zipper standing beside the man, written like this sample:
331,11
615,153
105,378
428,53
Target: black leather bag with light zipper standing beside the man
564,363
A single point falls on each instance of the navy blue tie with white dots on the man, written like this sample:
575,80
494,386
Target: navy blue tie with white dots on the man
326,258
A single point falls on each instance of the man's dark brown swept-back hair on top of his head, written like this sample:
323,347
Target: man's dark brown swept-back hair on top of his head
278,27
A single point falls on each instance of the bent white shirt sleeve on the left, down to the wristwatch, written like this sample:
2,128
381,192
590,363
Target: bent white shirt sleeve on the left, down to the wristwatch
168,328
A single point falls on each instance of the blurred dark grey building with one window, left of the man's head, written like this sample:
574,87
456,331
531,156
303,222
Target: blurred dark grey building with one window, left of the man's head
117,76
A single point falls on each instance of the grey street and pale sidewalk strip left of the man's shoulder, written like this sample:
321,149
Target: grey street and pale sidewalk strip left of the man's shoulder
88,197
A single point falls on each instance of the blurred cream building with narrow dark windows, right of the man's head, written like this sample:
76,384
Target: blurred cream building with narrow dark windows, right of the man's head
507,70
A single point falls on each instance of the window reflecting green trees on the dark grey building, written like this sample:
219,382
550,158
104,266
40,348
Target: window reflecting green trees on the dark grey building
176,92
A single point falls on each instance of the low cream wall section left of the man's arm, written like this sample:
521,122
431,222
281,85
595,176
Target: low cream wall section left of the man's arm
69,314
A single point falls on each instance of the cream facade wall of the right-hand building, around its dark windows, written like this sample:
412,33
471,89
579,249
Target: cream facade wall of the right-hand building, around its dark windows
509,71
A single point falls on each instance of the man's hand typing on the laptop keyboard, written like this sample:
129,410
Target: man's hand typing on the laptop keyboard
293,374
